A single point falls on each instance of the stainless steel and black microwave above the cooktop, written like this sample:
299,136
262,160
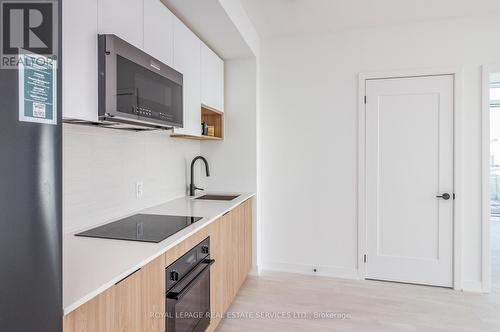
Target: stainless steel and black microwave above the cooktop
135,88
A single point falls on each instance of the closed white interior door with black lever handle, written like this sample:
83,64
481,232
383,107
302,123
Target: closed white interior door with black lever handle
409,162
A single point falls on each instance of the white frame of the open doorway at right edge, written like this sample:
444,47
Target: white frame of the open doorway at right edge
485,177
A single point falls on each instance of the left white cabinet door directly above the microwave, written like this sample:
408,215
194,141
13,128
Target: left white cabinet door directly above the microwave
124,18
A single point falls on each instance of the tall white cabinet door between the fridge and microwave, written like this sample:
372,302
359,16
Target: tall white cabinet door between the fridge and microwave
79,46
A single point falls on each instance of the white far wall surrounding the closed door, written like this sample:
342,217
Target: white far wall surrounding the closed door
308,131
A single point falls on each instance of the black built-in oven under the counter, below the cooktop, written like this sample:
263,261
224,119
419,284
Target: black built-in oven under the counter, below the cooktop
188,290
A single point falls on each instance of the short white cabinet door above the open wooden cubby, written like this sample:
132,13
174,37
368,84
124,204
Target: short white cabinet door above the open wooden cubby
212,79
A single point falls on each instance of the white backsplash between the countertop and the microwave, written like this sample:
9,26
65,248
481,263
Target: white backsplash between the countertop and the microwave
101,168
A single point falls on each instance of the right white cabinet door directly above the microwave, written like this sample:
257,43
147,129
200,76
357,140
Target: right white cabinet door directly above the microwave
158,31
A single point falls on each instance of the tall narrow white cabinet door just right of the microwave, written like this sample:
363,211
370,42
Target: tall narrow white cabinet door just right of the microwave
187,61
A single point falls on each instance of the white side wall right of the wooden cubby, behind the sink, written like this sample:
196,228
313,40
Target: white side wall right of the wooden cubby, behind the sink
233,161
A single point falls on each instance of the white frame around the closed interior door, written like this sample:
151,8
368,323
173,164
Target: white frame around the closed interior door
457,73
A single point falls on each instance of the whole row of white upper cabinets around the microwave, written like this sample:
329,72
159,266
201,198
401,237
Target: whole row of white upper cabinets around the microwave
151,27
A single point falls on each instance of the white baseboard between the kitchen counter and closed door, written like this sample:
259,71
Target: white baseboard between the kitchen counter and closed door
326,271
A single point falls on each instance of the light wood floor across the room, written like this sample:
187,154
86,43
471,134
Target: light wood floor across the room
372,306
